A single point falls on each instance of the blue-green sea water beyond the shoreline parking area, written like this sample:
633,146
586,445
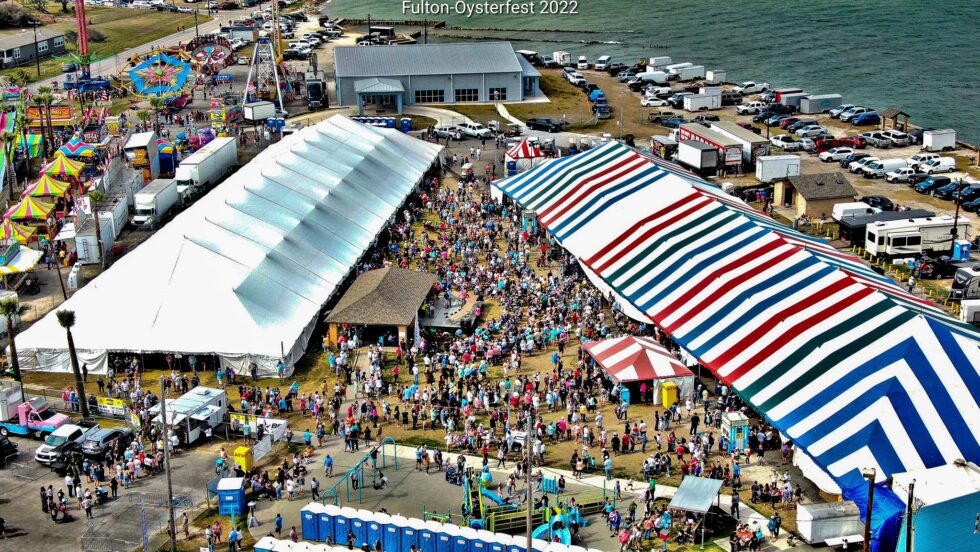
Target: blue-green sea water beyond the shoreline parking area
921,56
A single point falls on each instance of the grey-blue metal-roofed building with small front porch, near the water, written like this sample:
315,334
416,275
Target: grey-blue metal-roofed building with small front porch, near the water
389,77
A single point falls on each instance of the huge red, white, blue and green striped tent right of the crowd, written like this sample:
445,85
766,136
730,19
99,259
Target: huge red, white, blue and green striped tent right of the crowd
854,370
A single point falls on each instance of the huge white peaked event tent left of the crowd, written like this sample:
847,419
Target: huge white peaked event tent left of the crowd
244,272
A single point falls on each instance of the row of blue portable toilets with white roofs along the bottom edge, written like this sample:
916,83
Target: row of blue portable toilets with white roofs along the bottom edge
399,534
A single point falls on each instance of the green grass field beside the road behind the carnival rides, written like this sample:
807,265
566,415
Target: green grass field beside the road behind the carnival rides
123,28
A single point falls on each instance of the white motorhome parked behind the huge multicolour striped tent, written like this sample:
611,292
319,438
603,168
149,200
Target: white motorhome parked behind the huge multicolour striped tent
915,236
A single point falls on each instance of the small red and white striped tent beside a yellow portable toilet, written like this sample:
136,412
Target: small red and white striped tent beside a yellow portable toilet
642,359
